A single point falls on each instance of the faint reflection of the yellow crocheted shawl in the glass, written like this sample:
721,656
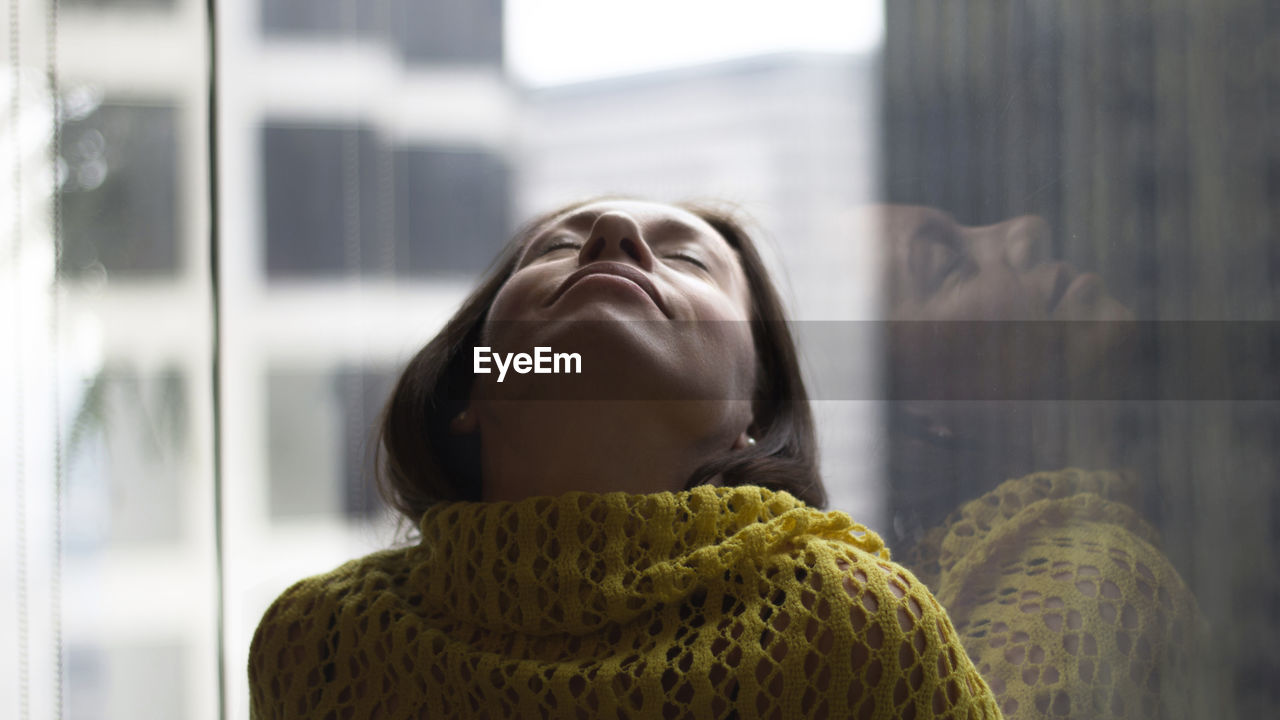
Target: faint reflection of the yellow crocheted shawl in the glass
1064,603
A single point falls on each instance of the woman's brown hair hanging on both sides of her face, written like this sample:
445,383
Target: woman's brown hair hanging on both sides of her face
423,463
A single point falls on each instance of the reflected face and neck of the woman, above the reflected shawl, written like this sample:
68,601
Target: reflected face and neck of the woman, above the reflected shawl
979,318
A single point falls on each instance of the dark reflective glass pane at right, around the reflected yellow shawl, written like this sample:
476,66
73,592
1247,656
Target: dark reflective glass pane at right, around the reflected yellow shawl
1127,140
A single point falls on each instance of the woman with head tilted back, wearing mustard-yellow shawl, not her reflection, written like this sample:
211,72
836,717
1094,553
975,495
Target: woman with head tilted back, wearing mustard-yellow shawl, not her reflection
639,540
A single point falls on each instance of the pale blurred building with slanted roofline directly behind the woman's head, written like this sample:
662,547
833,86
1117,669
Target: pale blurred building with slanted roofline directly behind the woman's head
790,140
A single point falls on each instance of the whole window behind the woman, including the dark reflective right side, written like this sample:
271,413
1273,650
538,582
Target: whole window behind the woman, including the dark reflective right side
1028,250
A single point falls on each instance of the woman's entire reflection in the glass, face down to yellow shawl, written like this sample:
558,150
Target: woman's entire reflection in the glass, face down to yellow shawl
1053,580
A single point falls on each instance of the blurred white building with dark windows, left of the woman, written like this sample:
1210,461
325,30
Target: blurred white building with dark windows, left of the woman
364,179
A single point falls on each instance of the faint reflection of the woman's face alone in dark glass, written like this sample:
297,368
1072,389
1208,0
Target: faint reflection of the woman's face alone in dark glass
952,282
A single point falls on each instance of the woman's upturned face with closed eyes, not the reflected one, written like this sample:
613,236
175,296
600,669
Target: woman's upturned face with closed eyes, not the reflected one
651,295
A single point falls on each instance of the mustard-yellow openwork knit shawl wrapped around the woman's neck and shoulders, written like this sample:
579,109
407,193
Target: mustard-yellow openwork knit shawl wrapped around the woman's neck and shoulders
706,604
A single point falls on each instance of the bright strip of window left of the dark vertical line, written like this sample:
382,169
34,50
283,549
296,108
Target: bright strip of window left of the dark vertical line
107,327
